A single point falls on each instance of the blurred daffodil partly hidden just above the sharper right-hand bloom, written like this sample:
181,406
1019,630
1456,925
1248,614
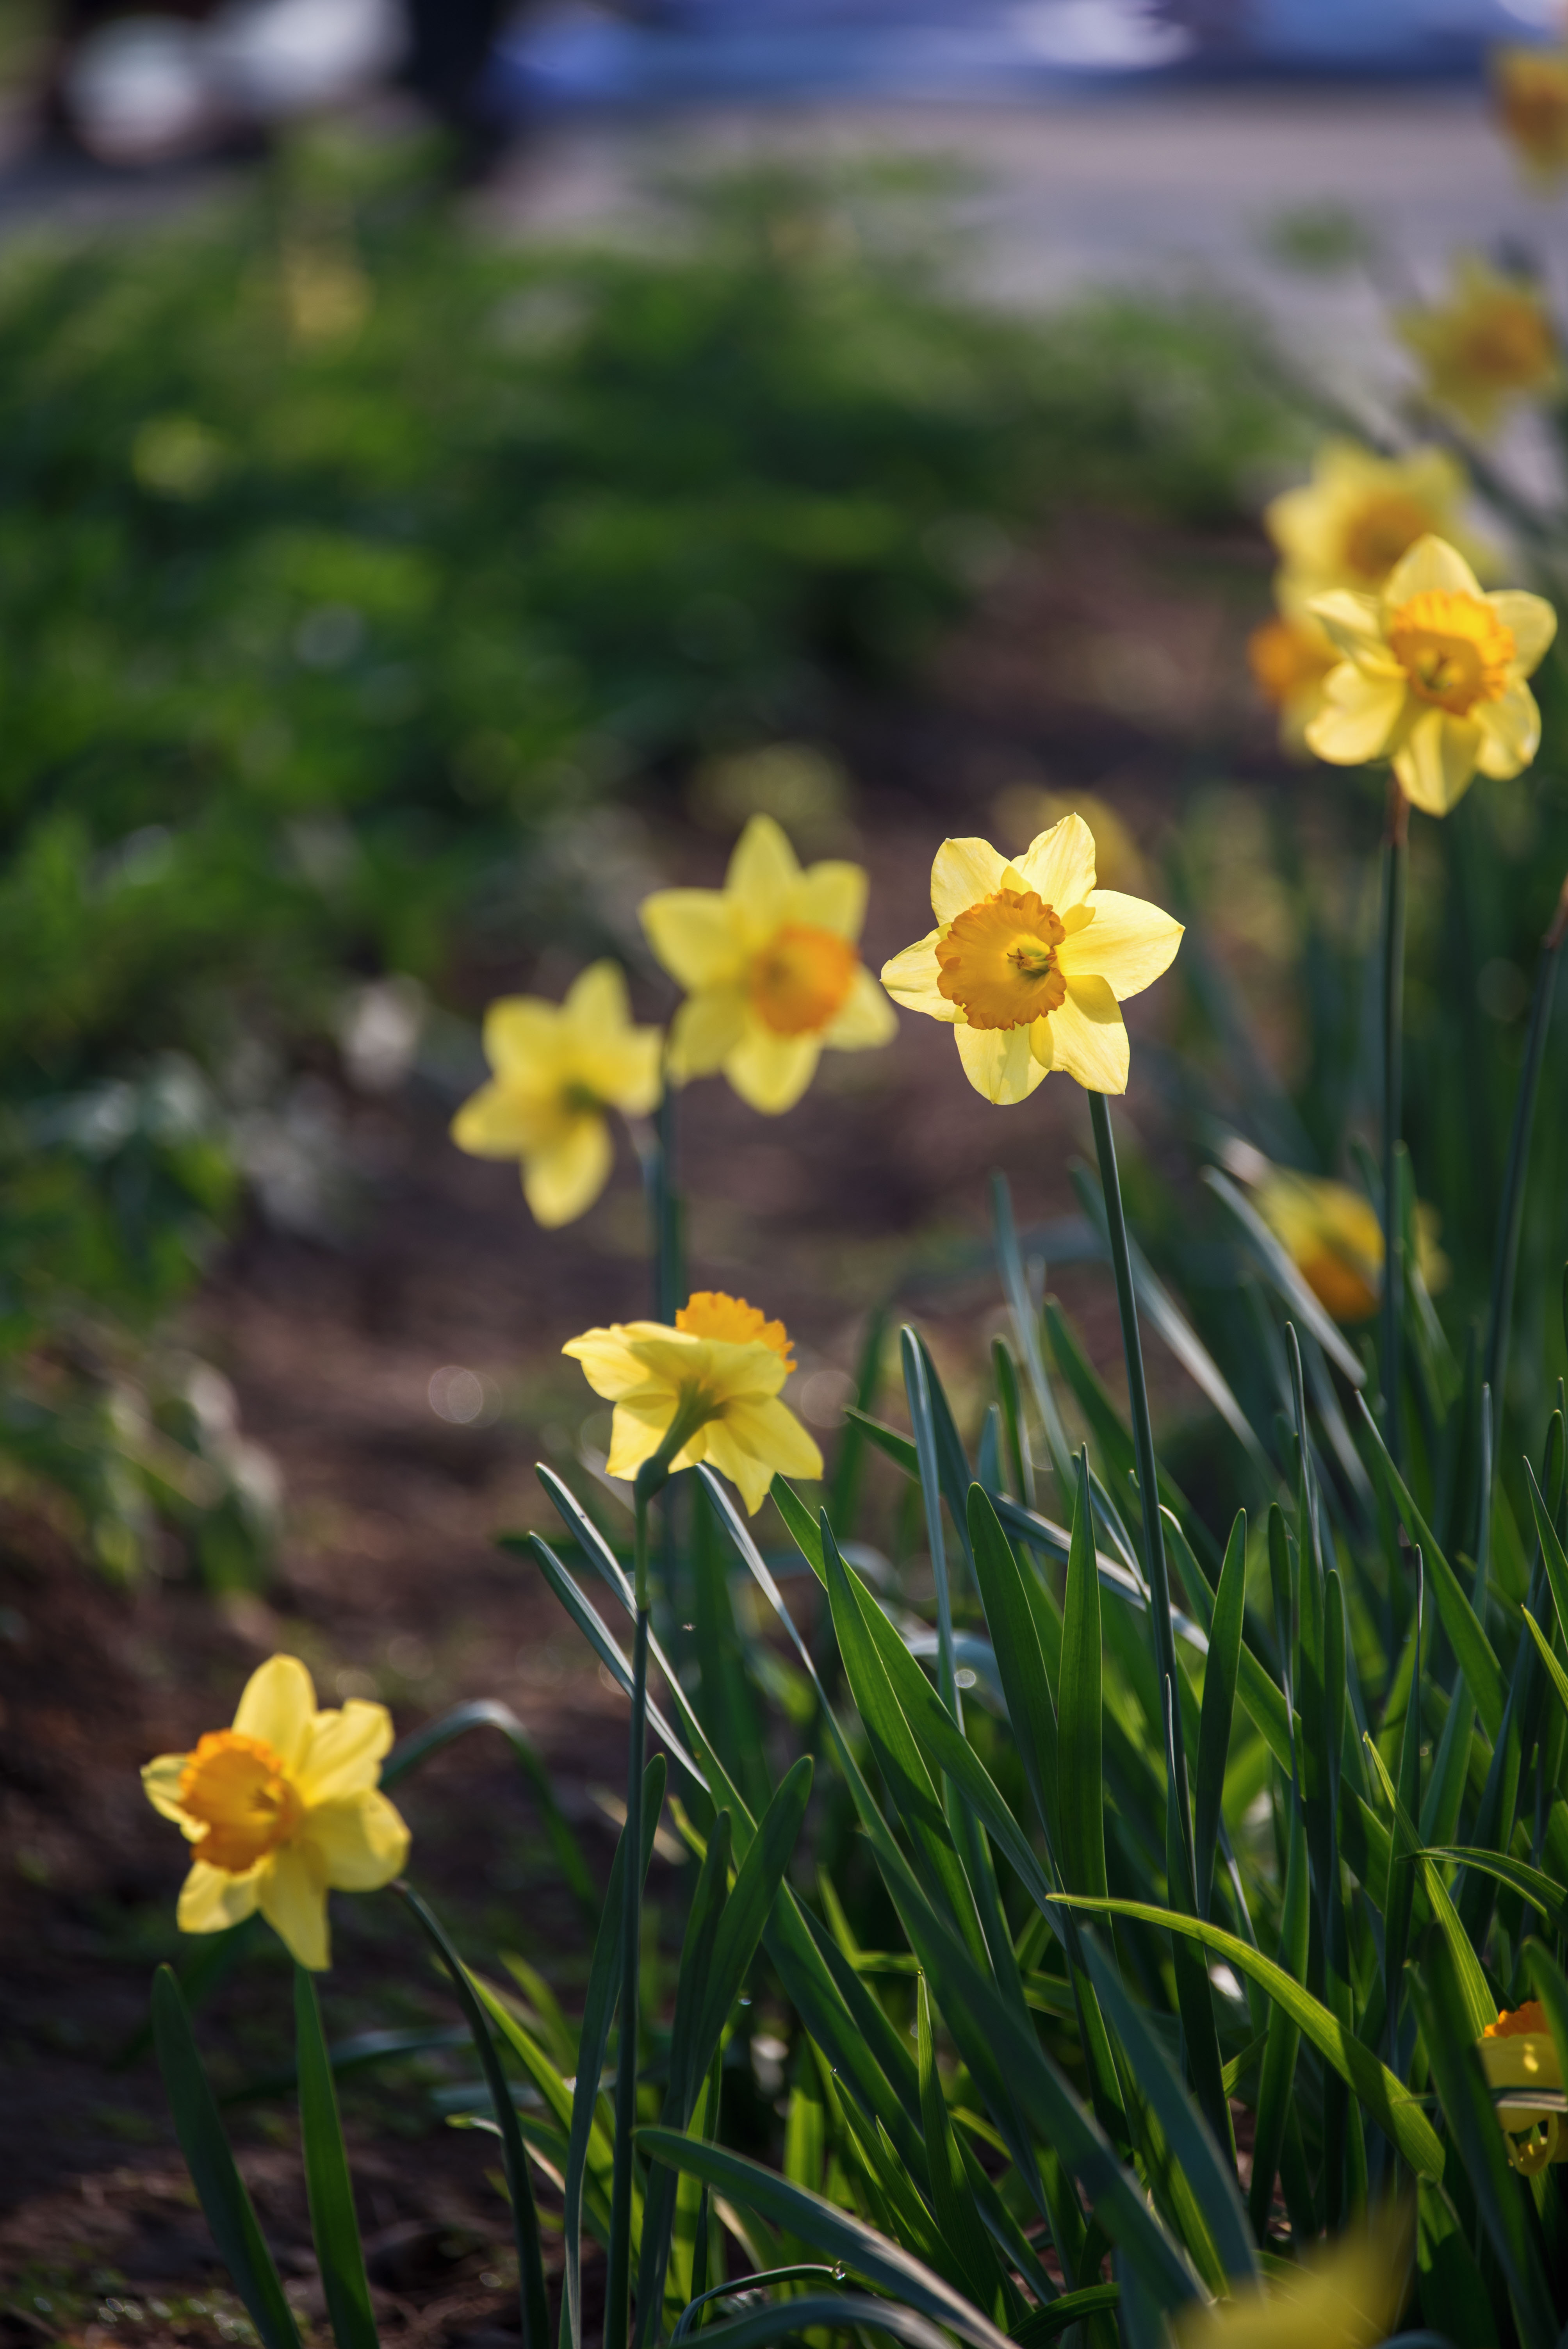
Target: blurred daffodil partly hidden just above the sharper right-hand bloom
1358,516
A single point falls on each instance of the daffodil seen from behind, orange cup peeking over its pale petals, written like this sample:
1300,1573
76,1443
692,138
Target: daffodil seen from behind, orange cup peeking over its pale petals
717,1375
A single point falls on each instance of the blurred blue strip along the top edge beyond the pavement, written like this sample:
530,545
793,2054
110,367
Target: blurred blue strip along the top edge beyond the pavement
574,55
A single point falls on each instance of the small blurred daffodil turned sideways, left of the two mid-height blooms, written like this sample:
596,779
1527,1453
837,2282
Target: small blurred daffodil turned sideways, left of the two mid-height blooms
560,1070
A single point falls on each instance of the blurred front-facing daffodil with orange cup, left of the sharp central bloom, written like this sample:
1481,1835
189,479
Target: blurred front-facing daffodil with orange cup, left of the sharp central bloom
771,971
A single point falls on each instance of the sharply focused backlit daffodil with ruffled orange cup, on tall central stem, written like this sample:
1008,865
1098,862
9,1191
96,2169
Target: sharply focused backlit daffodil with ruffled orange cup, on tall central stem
1032,962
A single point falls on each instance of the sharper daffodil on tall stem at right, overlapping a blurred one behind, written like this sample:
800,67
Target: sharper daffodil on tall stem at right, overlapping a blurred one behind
1433,678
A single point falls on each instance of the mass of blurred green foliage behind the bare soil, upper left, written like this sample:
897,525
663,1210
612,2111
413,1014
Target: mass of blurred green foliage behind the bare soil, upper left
346,551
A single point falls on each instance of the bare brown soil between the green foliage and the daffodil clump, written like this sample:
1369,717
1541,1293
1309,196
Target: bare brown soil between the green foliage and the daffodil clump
388,1577
